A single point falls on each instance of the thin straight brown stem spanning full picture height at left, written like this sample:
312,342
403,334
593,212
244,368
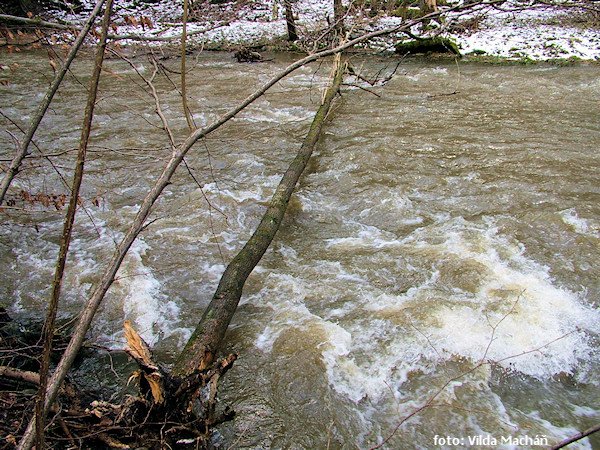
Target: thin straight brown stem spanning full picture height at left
49,324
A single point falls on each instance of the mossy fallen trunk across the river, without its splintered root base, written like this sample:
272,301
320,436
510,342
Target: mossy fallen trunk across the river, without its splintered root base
200,350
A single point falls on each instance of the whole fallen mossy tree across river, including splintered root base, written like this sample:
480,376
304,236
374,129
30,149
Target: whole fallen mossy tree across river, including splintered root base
181,406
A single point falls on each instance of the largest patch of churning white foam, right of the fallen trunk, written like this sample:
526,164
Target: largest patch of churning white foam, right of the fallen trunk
546,334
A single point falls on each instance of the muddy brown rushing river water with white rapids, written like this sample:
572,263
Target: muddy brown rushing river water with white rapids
450,221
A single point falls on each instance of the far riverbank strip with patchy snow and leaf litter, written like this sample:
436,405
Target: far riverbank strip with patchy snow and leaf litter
488,33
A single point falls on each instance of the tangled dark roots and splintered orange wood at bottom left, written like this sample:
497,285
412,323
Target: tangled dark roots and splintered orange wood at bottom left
167,412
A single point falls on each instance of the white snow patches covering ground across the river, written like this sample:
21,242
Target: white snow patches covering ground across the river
533,33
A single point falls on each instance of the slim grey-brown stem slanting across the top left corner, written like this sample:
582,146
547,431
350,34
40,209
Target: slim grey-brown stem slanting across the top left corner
13,168
